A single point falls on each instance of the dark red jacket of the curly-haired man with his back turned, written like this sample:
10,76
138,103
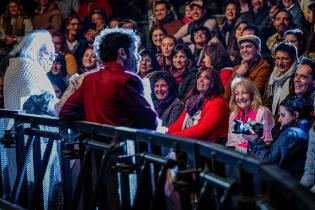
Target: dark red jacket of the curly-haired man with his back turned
111,96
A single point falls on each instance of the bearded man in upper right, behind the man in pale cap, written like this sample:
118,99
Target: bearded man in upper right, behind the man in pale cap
282,22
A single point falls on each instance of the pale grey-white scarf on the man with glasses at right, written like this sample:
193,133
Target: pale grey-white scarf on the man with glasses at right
278,86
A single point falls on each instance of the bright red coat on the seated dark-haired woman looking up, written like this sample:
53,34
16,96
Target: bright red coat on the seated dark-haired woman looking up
213,122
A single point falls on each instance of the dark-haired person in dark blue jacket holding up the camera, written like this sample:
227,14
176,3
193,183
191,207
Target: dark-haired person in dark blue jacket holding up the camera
288,149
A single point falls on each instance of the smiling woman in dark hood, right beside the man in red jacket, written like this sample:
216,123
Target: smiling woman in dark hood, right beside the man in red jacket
164,96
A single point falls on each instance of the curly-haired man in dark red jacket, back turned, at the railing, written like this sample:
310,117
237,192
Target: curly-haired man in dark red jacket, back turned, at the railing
114,95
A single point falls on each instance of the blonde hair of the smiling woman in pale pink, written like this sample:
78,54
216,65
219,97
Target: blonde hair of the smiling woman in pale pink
254,94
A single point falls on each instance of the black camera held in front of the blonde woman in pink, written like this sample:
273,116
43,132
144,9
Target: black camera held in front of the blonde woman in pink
243,128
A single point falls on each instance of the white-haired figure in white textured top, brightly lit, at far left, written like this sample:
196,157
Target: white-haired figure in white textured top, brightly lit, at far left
26,75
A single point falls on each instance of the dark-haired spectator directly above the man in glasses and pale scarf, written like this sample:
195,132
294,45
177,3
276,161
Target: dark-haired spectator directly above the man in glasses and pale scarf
297,38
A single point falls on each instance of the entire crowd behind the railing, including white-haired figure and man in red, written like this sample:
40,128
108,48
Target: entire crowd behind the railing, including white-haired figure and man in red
246,82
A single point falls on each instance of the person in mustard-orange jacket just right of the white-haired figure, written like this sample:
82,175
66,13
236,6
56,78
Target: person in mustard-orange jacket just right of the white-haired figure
62,48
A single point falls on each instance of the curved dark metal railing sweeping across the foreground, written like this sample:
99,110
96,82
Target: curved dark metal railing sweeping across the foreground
48,164
